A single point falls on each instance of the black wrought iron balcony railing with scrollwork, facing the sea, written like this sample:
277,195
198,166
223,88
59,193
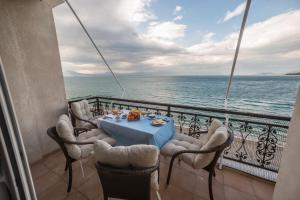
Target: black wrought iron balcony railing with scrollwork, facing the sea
259,138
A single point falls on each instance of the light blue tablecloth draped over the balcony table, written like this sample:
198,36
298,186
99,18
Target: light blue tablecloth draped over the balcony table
138,132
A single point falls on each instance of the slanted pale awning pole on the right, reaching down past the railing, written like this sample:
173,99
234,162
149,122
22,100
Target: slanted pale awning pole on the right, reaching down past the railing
233,68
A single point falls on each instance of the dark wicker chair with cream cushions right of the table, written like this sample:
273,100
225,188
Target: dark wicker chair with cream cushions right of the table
199,154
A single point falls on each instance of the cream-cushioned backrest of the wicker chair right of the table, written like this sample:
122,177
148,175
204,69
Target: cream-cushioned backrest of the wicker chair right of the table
218,141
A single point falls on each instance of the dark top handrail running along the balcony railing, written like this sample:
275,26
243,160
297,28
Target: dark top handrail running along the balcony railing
208,109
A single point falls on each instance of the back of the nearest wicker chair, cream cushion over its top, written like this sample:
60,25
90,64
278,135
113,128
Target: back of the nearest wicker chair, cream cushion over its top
126,172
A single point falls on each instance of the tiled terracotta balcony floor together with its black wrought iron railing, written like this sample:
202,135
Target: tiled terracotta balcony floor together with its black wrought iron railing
250,164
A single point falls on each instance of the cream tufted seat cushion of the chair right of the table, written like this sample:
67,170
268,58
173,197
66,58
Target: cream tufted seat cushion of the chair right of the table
182,142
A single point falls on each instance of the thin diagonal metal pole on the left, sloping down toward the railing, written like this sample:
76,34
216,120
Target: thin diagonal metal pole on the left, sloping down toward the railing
97,49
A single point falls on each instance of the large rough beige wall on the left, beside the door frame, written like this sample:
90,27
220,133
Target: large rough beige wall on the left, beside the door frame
29,51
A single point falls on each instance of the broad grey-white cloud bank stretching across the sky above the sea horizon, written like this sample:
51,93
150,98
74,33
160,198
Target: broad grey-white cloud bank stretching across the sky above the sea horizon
267,46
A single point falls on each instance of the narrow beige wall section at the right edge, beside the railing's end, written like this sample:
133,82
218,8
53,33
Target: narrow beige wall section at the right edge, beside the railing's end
288,181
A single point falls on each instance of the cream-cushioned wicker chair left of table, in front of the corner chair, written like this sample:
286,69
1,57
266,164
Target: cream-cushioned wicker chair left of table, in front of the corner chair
75,149
